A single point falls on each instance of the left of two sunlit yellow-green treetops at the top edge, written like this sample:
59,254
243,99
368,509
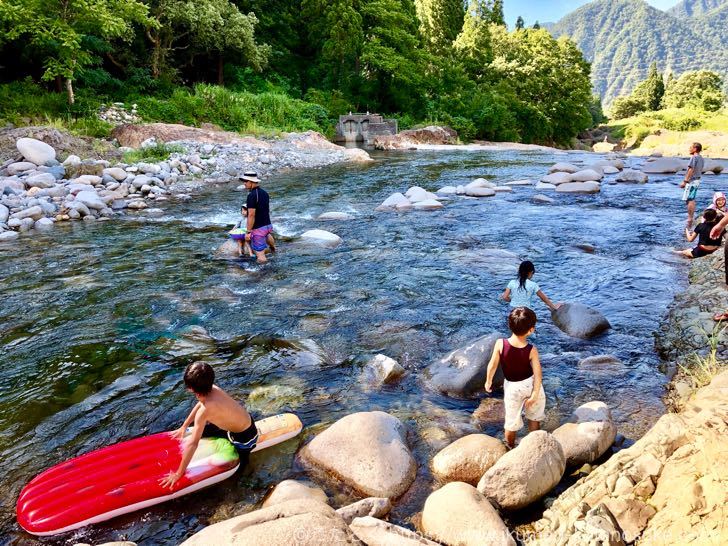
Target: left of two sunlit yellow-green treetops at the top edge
440,22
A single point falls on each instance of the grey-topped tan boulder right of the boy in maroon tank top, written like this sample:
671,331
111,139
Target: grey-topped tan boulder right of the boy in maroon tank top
588,434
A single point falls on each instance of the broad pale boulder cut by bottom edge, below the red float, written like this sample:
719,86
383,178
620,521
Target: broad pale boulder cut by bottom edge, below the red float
301,522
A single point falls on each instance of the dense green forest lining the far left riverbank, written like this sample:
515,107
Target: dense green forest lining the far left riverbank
293,64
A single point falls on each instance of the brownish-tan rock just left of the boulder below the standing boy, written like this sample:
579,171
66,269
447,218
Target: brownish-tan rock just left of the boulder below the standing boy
467,459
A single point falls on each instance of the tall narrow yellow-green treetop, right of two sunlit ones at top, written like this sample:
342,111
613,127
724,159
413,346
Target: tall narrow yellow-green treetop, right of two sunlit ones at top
473,45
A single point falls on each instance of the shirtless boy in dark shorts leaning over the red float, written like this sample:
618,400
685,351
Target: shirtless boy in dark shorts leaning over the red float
216,415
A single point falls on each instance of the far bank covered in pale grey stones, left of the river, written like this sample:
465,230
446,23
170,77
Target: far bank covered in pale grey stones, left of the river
40,186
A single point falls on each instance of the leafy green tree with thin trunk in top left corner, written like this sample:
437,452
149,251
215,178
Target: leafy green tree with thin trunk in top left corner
61,29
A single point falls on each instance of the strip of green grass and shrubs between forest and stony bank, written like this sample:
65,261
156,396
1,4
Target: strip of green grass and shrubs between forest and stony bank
24,103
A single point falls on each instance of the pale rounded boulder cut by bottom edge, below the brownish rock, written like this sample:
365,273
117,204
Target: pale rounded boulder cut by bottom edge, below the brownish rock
459,515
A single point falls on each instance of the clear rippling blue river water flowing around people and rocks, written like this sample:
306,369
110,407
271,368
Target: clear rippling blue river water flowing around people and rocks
99,321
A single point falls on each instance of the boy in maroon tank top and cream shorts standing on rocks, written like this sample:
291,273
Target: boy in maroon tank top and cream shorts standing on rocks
522,388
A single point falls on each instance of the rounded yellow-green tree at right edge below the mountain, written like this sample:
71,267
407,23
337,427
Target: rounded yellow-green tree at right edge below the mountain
700,89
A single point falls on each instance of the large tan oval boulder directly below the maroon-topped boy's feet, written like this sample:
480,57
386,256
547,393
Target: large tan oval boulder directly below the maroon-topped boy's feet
526,473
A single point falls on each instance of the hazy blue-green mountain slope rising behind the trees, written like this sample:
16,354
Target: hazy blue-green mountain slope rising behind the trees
621,38
